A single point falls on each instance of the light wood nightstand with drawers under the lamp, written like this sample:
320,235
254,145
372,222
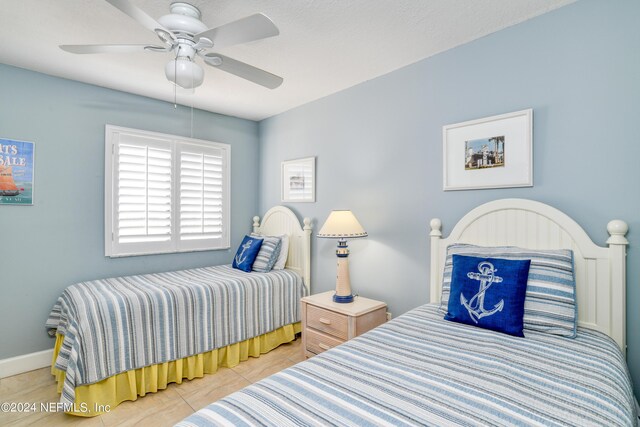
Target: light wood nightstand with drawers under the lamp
326,324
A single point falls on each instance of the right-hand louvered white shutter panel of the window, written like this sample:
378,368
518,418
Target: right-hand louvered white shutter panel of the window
202,195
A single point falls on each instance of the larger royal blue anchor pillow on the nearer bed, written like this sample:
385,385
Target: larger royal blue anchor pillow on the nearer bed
489,293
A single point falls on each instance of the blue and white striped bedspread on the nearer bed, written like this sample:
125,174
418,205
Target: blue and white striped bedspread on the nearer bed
422,370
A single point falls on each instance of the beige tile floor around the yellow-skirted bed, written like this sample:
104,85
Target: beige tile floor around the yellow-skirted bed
157,409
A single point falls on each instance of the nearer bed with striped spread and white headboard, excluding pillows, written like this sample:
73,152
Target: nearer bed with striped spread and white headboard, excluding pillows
420,369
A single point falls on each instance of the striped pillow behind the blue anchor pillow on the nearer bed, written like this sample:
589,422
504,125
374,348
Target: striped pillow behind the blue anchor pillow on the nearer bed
550,302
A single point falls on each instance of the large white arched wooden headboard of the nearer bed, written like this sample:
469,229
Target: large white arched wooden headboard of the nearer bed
600,271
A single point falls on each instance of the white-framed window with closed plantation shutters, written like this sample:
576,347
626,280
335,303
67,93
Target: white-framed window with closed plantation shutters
164,193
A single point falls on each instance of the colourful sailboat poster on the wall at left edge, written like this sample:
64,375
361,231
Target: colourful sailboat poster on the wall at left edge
16,172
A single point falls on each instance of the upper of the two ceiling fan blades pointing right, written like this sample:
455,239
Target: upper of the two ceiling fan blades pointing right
254,27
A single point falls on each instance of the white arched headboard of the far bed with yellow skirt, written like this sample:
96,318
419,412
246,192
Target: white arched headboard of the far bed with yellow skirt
280,220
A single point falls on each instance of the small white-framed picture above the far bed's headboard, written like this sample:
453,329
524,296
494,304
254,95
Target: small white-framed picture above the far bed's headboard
298,180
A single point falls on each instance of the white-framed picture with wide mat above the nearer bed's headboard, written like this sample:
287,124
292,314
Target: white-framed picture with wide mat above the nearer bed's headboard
493,152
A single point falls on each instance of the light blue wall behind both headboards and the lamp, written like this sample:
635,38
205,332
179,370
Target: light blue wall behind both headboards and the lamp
379,145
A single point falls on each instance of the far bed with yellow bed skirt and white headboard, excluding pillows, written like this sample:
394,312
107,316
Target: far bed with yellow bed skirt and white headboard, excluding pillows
123,337
